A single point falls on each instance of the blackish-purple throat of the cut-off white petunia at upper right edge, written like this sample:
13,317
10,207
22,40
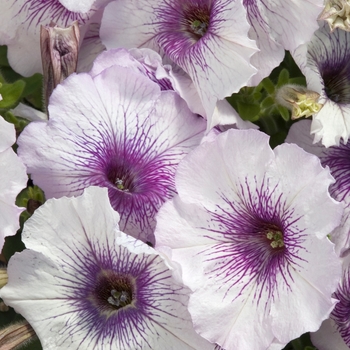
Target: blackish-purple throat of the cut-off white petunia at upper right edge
336,80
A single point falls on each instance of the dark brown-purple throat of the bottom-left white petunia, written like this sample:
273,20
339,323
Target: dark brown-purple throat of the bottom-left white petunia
113,291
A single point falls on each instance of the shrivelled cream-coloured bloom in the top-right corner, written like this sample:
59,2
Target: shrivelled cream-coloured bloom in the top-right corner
337,14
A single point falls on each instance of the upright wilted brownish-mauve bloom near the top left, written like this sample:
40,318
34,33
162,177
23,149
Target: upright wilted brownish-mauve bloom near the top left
59,54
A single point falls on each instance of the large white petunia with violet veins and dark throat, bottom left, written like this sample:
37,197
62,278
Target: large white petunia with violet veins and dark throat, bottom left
83,284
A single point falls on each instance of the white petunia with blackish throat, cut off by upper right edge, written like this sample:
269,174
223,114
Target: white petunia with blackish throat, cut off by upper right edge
325,63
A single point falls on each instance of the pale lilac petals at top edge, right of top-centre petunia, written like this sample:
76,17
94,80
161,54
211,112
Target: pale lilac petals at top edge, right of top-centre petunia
275,25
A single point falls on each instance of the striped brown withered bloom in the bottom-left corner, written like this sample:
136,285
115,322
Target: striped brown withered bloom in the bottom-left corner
16,335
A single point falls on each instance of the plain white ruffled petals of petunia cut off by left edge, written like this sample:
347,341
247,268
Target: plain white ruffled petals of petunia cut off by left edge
13,178
